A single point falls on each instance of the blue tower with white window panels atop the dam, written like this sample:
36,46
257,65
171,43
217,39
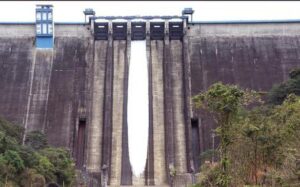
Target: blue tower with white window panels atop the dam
44,26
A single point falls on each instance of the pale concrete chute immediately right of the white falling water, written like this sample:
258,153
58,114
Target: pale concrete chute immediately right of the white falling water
156,62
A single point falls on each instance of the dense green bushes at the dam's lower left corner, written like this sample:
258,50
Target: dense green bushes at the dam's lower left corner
35,163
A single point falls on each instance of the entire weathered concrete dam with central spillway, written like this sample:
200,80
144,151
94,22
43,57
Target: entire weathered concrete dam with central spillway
76,91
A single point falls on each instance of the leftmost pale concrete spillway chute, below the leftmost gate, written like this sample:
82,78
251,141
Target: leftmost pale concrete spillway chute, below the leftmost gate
95,127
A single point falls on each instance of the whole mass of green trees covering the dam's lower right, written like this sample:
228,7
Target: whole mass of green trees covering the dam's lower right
258,145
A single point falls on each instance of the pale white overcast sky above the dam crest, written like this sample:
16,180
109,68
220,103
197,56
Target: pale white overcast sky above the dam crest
69,11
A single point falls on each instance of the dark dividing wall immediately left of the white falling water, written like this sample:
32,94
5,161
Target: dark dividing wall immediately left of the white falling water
126,172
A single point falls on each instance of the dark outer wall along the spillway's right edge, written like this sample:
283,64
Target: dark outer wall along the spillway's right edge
187,98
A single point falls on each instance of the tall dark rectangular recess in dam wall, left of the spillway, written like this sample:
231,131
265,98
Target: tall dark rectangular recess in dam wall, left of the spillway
80,143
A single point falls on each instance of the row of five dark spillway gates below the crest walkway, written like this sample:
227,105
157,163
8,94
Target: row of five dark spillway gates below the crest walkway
138,27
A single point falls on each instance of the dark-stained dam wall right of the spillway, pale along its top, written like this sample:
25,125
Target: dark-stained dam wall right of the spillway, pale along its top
251,55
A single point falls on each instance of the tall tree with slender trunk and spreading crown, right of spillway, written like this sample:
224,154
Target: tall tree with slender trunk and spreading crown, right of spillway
223,101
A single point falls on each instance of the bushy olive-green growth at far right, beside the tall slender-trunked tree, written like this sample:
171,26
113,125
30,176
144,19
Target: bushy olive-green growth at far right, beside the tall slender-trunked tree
267,139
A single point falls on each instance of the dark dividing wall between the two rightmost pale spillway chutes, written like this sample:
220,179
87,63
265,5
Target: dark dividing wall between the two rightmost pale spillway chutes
168,105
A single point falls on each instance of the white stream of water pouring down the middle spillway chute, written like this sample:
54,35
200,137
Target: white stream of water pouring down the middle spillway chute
138,115
